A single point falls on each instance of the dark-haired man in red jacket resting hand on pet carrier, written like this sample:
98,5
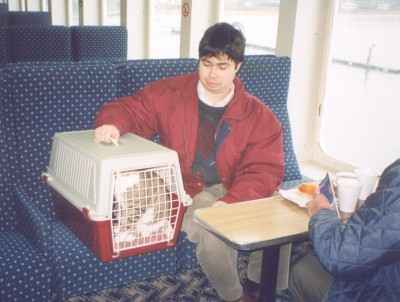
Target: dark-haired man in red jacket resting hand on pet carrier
228,142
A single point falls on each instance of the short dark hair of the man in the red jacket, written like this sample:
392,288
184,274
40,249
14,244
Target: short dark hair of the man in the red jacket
223,38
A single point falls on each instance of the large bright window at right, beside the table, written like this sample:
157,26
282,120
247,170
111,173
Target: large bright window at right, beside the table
361,111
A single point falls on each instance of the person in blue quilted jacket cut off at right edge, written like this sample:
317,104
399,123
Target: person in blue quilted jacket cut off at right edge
358,260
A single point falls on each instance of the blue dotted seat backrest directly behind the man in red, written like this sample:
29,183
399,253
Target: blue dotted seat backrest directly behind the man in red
266,77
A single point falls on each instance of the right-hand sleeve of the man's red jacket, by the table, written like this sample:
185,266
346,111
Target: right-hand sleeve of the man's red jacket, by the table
261,168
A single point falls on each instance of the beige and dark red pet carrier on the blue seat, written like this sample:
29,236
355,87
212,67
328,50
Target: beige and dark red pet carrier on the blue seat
119,200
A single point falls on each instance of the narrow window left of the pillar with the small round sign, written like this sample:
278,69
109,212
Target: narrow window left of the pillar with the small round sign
165,34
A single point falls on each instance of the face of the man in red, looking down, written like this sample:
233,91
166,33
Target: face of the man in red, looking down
217,73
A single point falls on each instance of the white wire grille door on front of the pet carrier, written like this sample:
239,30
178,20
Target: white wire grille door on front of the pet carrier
145,208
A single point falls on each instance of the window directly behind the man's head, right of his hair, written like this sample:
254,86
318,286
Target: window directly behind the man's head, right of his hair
258,20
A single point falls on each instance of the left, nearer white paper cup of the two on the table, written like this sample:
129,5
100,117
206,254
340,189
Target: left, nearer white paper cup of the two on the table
348,190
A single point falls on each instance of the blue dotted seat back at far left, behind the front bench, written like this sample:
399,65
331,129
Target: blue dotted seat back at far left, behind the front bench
39,43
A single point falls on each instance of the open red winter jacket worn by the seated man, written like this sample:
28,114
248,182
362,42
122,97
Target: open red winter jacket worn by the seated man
250,158
